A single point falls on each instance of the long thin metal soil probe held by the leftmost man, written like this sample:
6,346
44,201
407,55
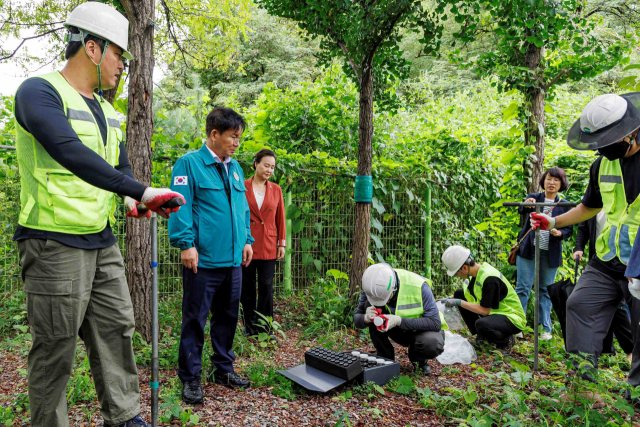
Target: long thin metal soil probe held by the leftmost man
154,384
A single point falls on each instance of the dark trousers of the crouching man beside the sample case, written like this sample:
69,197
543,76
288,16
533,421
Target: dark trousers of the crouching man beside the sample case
422,345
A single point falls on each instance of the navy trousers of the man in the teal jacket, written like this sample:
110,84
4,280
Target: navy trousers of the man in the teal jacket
215,290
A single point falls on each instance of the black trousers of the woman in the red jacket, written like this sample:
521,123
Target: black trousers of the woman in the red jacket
265,268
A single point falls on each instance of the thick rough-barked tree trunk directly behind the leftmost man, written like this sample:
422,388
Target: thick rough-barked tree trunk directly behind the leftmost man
139,133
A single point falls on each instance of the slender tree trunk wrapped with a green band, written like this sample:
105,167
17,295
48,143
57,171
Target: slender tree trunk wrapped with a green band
361,233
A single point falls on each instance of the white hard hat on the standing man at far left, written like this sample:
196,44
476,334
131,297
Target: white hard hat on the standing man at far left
102,21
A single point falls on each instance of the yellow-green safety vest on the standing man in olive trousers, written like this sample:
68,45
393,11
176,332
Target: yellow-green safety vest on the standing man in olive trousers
51,197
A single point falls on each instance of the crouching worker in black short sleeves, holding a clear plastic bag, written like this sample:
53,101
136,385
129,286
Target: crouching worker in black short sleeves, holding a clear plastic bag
487,302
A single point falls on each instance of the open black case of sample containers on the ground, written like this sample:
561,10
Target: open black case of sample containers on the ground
325,369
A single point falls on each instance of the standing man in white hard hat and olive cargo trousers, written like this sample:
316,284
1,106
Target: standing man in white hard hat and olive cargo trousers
73,163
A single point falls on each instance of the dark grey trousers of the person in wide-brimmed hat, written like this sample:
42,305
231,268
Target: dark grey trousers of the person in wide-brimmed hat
590,311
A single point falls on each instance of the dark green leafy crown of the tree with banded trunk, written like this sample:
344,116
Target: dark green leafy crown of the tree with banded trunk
365,36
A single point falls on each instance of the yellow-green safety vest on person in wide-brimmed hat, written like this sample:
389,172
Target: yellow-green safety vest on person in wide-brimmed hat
619,233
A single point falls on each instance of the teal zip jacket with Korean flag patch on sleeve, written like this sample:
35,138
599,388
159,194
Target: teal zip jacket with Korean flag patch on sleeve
219,230
